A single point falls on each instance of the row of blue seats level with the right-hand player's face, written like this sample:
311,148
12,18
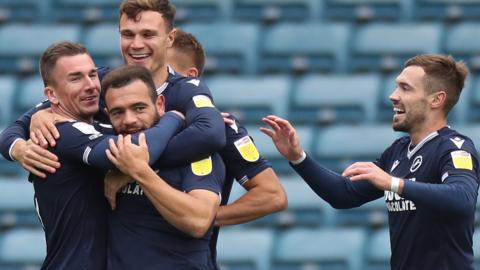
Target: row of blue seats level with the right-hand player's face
311,99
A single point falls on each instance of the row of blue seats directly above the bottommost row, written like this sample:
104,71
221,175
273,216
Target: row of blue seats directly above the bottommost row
305,208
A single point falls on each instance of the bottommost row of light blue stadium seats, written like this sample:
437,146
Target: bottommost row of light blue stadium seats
252,249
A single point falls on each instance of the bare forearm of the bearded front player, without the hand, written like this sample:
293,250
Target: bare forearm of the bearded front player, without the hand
187,213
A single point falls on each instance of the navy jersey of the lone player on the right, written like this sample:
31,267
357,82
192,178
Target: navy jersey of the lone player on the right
423,237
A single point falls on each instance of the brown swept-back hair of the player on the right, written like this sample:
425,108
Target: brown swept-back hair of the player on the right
442,73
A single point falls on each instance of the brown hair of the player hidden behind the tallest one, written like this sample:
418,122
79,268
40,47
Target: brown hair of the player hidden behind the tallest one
187,43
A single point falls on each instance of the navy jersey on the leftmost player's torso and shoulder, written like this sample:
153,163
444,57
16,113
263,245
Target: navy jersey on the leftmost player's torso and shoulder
71,204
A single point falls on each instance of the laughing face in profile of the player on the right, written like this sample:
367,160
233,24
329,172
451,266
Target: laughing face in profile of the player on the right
410,100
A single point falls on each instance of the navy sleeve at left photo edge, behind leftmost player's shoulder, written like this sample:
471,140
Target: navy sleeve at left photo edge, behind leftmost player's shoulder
20,129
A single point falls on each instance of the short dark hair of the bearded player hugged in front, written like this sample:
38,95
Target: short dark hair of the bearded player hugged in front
125,75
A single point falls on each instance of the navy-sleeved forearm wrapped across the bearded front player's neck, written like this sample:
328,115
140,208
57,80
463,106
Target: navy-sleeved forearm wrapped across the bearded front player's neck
157,139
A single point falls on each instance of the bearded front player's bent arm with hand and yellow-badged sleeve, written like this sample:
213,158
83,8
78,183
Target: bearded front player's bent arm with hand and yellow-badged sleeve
192,211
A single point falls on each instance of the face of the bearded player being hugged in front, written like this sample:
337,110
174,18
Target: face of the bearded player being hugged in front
131,108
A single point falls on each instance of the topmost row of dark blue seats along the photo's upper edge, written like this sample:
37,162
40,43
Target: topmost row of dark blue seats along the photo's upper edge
265,11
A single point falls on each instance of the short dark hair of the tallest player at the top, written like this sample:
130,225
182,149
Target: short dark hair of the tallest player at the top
132,8
